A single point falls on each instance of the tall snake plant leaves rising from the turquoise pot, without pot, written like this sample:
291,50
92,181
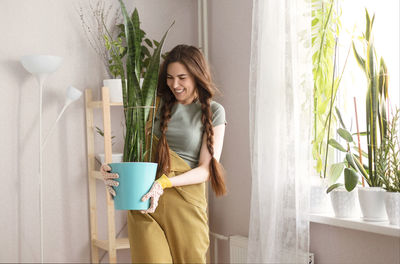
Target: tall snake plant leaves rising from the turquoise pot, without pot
138,99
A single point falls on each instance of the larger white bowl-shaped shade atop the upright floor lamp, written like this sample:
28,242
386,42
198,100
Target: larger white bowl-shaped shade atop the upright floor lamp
41,64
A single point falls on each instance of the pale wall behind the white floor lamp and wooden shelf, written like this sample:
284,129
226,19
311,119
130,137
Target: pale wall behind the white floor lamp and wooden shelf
53,27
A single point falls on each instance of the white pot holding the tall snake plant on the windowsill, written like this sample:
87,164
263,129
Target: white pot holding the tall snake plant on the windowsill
372,203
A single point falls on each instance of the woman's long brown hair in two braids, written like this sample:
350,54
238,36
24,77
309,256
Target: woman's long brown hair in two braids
192,58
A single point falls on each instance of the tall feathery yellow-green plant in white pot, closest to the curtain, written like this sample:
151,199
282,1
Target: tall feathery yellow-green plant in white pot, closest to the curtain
324,28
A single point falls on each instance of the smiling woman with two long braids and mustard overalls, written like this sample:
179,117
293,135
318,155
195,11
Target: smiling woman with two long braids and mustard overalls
189,130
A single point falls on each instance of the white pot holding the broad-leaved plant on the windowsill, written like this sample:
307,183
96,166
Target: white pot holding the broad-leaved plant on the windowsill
344,203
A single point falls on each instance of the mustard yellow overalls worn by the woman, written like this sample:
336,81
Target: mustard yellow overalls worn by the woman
177,232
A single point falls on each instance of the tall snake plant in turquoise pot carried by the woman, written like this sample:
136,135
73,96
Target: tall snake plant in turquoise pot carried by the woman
136,174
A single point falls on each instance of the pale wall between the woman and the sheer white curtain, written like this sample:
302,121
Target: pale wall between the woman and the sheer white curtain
230,36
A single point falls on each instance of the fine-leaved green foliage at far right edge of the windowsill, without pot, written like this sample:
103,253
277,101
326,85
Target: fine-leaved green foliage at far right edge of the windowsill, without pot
388,162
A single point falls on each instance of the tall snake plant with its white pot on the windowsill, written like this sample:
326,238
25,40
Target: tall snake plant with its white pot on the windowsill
372,198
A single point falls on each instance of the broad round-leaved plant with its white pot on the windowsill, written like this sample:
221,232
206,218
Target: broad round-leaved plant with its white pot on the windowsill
344,196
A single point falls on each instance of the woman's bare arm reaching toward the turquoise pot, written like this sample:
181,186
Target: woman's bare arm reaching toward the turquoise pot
201,172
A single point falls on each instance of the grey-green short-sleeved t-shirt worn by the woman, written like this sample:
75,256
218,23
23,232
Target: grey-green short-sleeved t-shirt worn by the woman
185,129
